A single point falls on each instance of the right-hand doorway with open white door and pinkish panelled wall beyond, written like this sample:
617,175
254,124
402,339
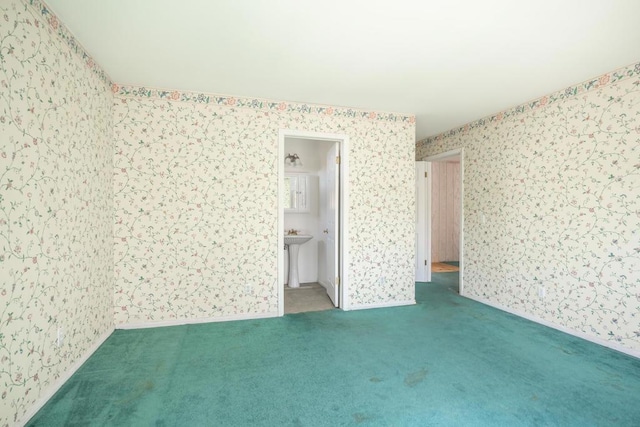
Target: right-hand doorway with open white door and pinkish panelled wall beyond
439,227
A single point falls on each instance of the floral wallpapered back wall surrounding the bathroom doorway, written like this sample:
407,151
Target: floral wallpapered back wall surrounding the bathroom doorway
196,196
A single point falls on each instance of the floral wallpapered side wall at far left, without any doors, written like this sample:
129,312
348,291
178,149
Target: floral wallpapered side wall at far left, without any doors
56,204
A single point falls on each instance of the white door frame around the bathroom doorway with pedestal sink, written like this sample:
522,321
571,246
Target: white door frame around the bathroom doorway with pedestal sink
343,233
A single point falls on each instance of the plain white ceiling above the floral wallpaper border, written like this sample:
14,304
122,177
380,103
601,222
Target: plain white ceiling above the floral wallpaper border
448,62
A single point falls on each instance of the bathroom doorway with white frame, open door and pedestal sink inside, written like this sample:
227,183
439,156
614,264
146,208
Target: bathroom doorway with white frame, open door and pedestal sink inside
312,175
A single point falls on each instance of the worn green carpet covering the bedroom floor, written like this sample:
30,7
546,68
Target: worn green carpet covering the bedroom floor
447,361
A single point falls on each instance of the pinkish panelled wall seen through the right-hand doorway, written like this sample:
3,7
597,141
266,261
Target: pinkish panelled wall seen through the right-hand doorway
445,211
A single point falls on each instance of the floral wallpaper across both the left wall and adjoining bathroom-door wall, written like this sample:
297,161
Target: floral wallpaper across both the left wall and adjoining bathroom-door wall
191,173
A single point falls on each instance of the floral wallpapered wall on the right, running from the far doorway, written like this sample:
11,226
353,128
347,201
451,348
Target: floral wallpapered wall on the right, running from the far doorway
557,182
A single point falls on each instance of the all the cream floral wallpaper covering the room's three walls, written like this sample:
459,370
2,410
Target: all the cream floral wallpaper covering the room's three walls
181,216
